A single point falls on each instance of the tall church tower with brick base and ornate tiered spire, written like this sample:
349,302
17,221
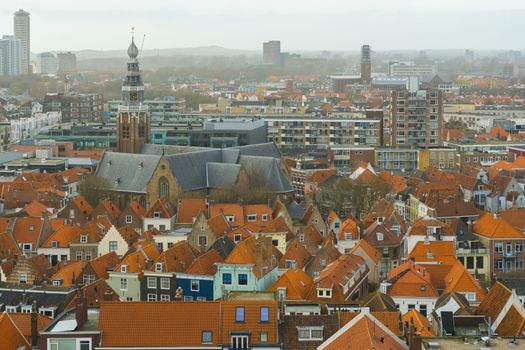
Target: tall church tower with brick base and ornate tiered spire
133,118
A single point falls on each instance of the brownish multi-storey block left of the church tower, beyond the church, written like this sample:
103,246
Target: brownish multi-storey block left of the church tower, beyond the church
77,108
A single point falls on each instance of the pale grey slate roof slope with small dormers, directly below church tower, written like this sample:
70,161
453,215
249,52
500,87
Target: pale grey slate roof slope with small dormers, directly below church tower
127,172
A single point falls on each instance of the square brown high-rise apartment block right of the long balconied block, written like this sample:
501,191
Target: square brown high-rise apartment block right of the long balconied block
416,117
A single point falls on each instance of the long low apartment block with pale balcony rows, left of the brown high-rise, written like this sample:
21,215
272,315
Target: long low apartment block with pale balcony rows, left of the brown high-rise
313,132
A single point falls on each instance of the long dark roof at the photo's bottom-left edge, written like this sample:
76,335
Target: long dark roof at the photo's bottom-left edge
58,299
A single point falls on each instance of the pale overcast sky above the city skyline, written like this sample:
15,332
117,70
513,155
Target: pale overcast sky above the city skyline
245,24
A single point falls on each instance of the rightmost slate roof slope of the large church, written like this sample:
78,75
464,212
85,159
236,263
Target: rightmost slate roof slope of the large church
268,170
